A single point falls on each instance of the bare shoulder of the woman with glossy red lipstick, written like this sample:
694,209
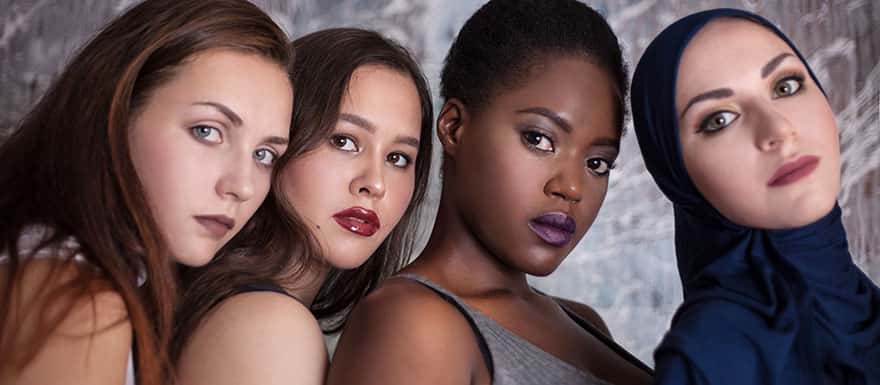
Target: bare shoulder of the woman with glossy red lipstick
257,337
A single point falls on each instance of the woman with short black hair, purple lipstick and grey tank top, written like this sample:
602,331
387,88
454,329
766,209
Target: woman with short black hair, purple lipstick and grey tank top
530,129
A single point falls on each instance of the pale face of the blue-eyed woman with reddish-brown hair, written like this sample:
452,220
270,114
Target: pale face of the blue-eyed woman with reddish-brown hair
203,146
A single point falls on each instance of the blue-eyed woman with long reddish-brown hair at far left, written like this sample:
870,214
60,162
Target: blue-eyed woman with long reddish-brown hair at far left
150,148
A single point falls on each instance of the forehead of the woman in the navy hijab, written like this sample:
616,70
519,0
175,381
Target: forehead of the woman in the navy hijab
726,49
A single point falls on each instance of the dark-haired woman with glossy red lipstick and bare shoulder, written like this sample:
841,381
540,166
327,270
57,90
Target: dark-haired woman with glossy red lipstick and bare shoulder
349,188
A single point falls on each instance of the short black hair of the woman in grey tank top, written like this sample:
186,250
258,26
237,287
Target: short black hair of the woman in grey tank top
500,44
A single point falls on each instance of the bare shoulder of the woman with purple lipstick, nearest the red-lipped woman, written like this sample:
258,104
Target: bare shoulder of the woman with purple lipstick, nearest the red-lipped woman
404,332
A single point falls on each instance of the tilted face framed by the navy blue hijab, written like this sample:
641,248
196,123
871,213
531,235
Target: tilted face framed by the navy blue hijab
758,137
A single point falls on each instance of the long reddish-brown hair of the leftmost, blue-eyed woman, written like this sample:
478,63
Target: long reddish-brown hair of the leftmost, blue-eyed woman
67,167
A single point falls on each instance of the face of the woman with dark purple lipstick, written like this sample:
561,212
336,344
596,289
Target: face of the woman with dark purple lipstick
529,170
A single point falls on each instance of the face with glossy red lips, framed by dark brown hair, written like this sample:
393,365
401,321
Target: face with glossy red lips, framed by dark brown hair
354,188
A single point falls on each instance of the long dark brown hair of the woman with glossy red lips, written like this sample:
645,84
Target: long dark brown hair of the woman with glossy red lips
276,246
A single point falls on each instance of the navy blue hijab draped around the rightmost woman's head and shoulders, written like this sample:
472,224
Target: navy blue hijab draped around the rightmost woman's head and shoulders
760,306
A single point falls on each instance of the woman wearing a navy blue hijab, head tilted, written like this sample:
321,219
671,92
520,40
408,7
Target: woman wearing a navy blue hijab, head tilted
738,133
